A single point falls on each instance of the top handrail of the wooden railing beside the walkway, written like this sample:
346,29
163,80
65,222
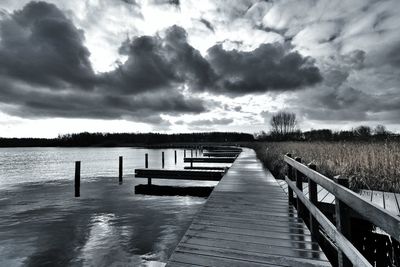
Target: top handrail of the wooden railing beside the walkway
377,215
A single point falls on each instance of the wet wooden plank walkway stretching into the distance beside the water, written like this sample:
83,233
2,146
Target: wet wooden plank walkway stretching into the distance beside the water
247,221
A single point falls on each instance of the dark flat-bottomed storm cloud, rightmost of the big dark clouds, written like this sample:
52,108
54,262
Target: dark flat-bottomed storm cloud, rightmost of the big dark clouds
267,68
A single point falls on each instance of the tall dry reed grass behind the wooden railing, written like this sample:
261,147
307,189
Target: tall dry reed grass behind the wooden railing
374,165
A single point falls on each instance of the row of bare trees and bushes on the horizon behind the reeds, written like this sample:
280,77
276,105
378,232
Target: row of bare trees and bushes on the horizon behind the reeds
283,128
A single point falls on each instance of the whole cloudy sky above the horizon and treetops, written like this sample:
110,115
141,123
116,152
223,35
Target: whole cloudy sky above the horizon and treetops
187,66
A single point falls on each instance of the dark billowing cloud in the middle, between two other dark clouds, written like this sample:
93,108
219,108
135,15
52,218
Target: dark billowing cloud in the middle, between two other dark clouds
155,62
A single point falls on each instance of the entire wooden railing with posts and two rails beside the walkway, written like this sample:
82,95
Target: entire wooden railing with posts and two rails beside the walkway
348,205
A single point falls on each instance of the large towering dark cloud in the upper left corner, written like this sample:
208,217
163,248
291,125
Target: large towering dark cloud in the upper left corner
40,45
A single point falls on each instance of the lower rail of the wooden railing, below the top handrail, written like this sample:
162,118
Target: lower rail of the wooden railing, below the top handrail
356,258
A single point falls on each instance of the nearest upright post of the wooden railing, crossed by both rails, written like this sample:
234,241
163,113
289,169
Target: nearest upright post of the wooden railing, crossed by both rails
342,221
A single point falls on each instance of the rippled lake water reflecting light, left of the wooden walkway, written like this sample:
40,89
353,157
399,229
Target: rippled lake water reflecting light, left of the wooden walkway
42,224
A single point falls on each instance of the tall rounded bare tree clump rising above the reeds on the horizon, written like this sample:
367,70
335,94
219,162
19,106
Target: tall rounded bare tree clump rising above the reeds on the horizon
283,123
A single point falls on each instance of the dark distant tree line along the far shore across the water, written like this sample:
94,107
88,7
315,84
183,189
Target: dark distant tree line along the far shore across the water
126,139
